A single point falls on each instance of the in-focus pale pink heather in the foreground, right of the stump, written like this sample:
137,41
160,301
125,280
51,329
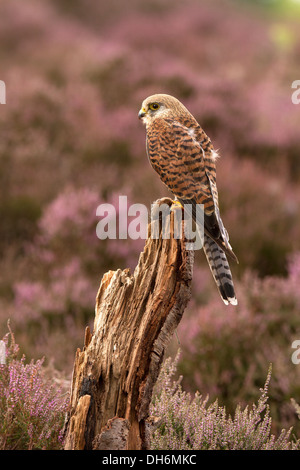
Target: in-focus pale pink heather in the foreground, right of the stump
184,422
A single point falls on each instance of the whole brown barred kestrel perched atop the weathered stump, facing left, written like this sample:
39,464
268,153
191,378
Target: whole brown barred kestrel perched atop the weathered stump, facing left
184,157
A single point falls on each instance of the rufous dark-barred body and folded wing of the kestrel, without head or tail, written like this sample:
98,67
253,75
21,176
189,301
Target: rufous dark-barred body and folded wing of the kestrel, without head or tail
178,157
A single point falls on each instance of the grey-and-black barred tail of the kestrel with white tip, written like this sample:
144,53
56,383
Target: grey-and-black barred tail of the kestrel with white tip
220,270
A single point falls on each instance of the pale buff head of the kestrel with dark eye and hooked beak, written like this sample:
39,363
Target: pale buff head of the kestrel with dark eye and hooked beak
160,105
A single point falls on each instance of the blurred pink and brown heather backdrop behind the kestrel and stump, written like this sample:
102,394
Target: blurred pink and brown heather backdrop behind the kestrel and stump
76,74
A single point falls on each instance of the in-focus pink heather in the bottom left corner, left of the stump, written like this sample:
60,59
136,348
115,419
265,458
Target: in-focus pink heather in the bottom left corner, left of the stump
32,409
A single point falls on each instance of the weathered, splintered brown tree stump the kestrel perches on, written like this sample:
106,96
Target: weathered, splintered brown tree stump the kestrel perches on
135,318
